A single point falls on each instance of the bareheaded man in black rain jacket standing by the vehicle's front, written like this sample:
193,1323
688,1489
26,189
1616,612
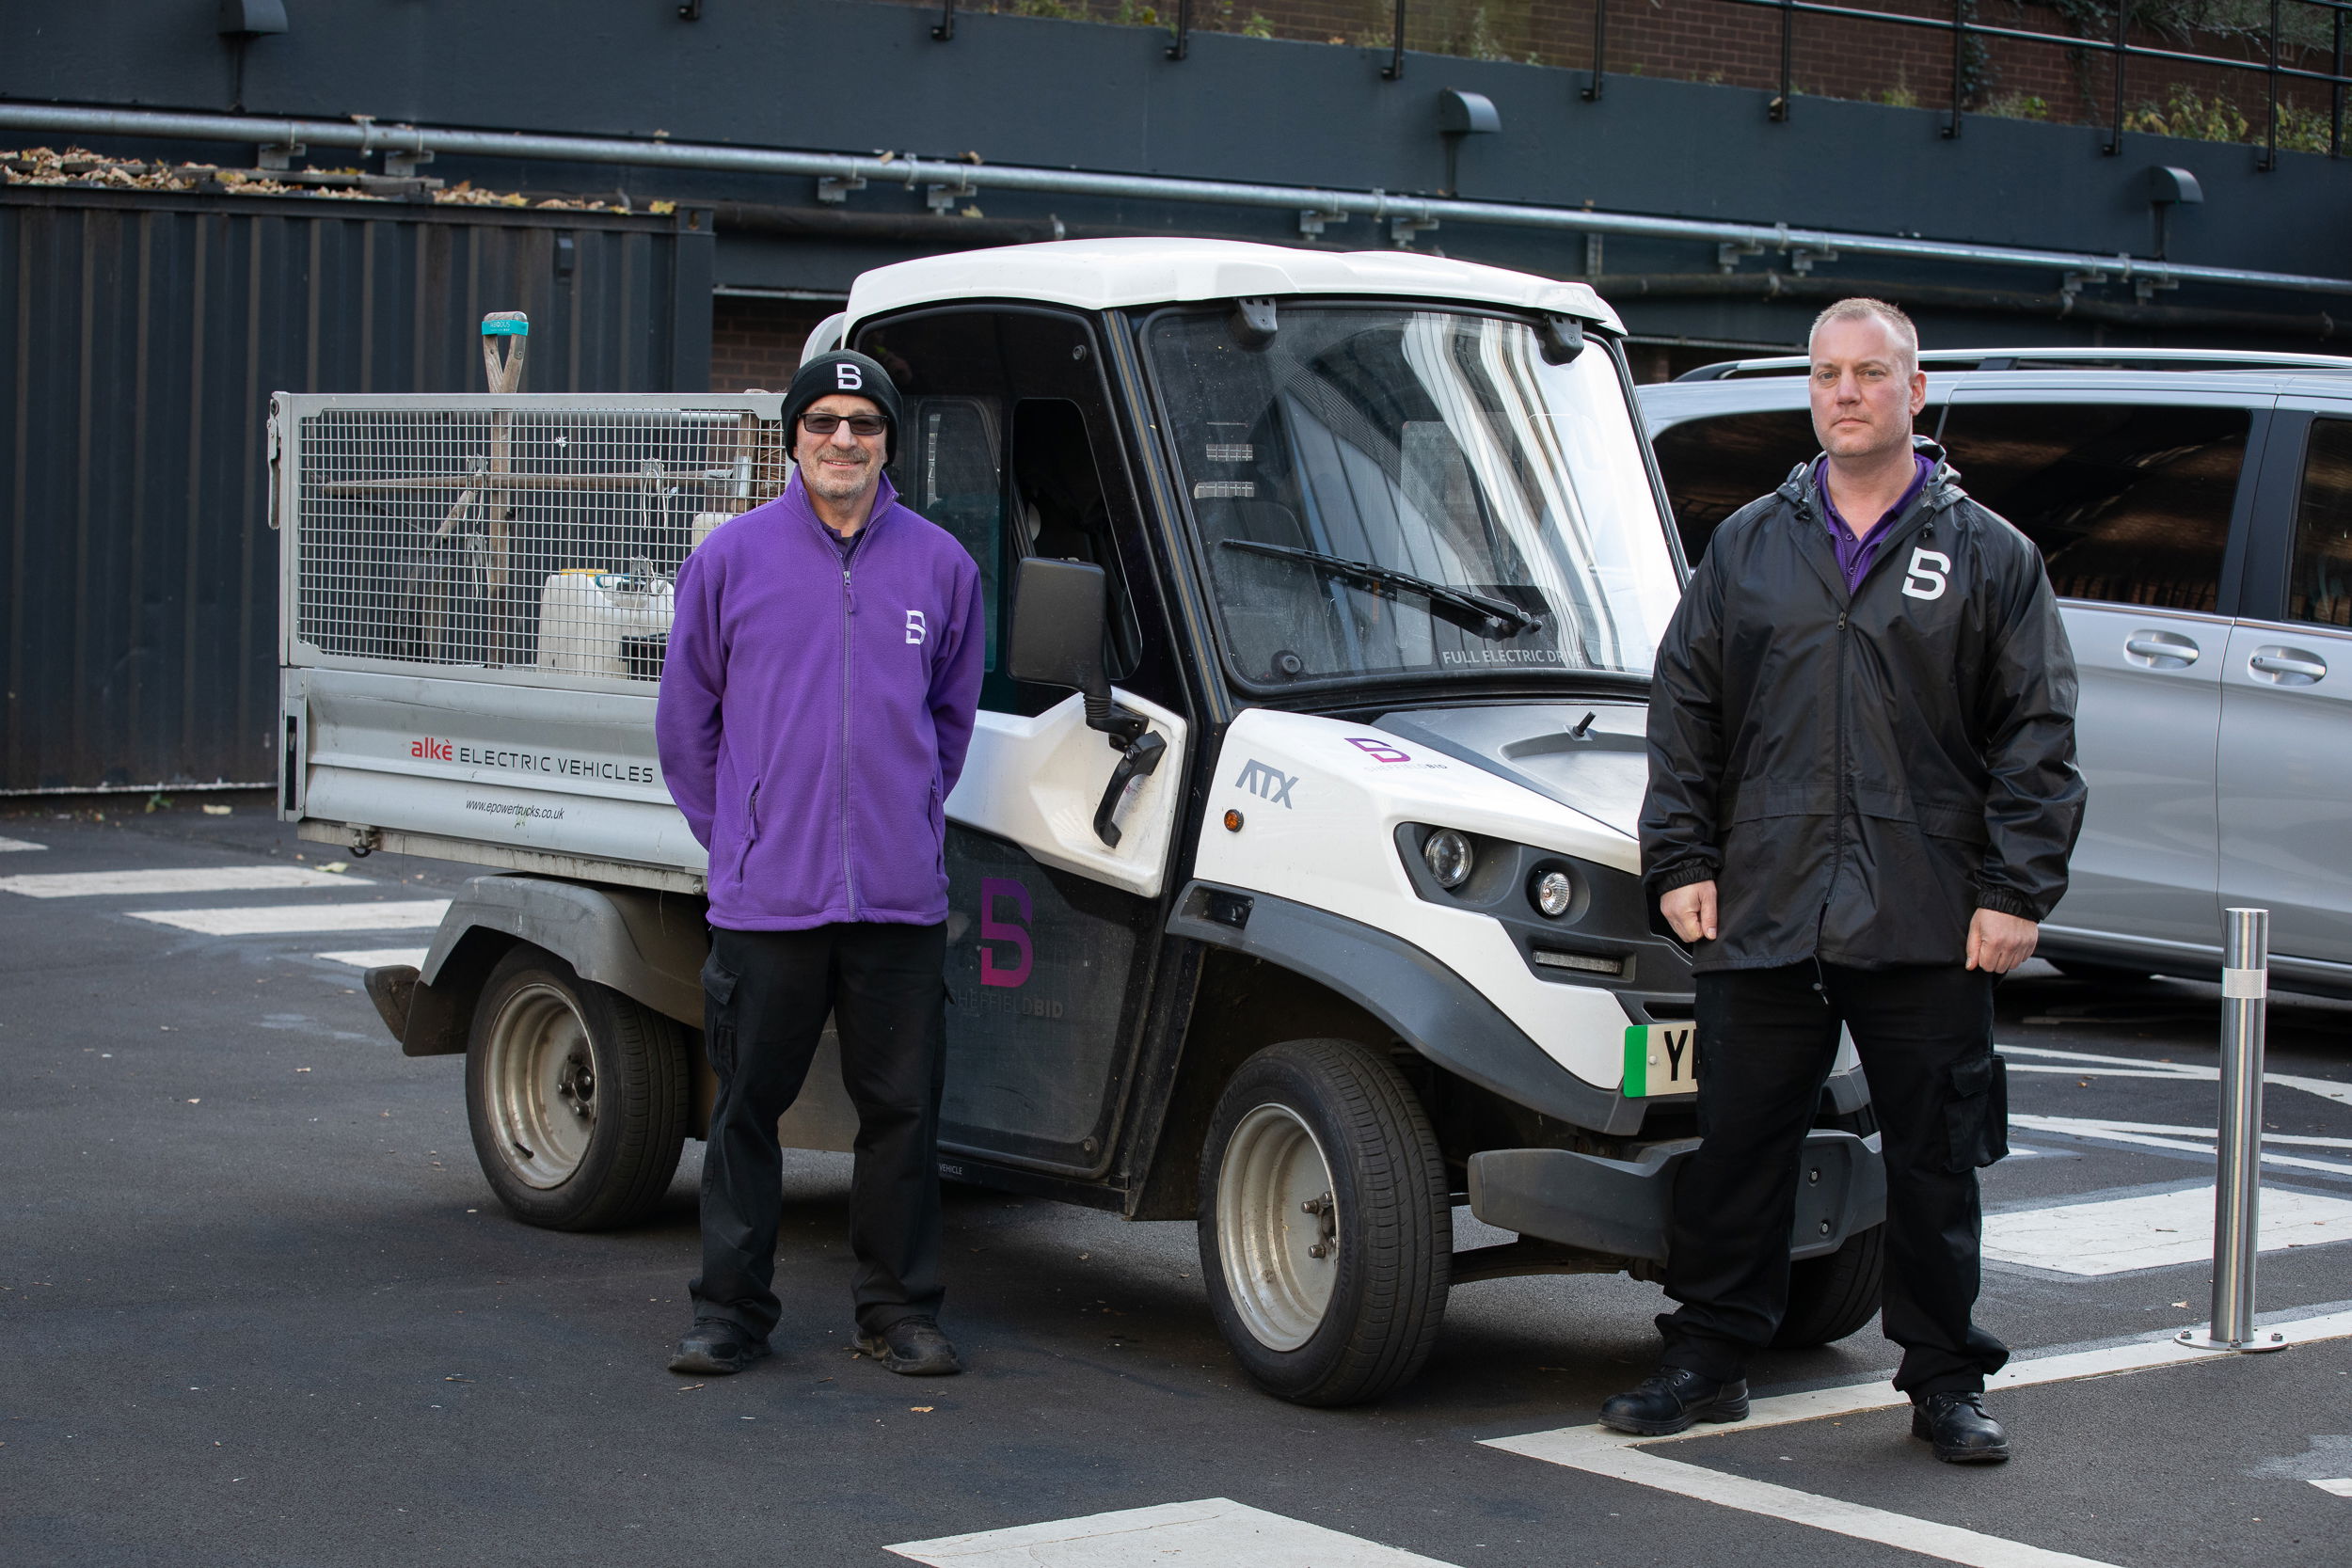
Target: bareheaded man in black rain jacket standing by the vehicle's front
1862,803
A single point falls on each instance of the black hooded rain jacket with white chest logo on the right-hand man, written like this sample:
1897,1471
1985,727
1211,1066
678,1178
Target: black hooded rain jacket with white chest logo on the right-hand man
1862,772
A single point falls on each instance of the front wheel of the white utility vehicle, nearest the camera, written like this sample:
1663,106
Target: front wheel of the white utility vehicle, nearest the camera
1325,1224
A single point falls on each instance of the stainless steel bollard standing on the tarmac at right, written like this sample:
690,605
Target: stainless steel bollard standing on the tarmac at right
2238,1188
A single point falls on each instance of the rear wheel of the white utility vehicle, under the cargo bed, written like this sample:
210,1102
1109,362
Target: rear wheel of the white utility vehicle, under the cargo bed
575,1094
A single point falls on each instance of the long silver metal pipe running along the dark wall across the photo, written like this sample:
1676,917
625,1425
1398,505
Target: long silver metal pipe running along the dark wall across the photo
916,173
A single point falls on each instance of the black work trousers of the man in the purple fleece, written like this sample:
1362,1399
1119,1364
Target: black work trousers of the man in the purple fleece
766,1003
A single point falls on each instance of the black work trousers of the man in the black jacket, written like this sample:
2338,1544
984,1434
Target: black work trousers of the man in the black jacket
1768,1040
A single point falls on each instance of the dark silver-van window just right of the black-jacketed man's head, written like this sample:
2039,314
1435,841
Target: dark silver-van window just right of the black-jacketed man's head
2127,502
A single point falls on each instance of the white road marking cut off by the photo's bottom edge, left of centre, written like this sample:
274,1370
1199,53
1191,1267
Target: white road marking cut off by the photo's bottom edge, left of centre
1208,1534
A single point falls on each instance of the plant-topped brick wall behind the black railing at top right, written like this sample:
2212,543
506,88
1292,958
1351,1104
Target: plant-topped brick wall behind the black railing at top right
1739,46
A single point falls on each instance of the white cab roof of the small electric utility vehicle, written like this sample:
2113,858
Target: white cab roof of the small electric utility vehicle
1111,274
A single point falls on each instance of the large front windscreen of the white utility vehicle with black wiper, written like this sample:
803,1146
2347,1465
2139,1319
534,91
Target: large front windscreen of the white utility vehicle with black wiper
1396,492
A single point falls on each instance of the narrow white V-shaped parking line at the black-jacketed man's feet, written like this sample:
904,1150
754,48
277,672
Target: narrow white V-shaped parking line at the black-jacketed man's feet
1612,1454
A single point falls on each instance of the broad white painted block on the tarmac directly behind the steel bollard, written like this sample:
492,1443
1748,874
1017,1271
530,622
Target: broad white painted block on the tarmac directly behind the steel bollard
2153,1231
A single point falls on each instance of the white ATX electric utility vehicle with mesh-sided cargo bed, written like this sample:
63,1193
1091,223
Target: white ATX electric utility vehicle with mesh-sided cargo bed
1295,871
